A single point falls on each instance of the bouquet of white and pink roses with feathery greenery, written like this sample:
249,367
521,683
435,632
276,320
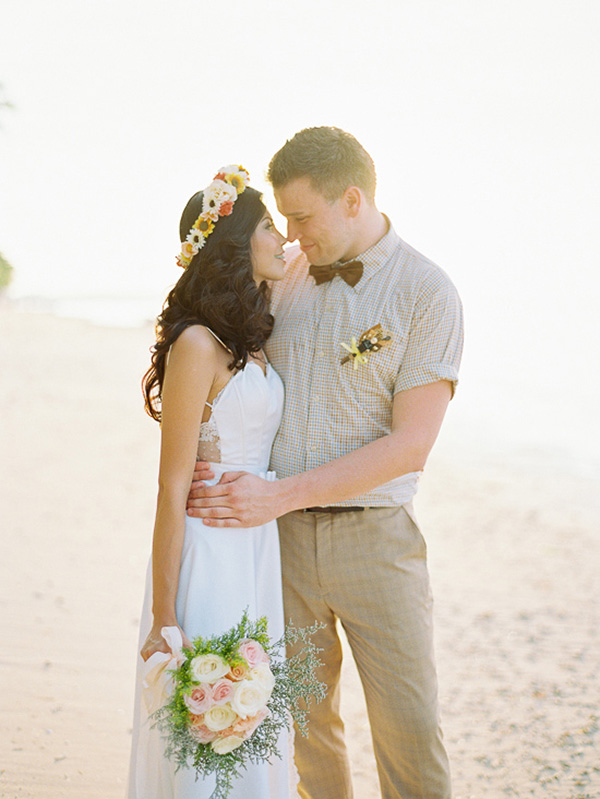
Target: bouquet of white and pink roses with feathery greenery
230,696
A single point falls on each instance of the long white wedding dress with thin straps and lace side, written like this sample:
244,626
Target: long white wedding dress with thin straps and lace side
223,571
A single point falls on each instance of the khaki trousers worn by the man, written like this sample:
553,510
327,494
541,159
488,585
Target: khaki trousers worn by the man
369,570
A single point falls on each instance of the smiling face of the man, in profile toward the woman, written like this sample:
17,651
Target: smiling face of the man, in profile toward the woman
321,226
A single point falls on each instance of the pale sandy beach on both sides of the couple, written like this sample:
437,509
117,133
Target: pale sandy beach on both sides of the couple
514,548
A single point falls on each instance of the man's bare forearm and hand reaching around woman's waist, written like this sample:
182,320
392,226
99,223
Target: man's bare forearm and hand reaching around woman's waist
248,501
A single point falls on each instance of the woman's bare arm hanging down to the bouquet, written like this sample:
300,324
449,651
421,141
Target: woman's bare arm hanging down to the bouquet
188,377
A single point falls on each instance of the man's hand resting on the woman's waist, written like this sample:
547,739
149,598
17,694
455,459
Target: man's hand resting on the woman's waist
239,499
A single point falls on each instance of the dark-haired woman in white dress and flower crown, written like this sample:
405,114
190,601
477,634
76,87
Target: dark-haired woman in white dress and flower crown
217,400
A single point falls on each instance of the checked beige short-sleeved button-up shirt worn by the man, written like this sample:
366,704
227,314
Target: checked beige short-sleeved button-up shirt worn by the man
331,408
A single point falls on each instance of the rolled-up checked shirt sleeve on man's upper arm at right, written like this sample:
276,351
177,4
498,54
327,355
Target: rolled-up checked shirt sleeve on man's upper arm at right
436,335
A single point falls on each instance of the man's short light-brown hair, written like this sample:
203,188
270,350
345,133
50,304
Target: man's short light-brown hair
332,159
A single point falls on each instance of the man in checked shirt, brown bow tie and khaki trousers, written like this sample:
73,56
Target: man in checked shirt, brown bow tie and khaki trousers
367,339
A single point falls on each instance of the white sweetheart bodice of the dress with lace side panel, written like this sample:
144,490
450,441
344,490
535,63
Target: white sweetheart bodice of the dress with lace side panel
245,416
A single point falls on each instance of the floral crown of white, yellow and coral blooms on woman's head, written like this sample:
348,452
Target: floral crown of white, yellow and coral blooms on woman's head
218,200
